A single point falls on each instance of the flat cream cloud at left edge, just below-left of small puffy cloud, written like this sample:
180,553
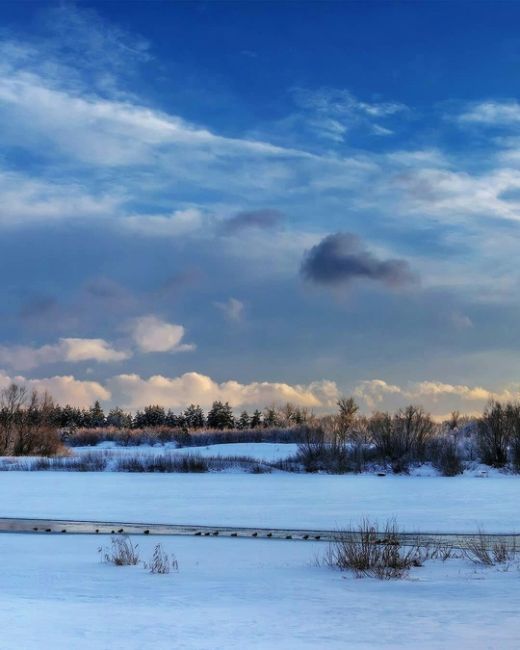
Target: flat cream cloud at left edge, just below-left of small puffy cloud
70,350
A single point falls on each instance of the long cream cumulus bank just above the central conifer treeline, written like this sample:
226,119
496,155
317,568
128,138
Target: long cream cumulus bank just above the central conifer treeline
173,392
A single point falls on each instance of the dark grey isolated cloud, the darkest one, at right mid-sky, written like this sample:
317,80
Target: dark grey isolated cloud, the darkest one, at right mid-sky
341,259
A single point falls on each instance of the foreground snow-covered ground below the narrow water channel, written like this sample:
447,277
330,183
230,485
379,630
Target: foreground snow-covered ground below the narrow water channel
235,594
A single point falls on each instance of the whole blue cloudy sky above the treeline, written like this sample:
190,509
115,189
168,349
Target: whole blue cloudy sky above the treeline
261,202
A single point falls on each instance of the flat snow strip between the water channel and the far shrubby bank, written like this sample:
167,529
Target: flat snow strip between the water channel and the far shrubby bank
429,504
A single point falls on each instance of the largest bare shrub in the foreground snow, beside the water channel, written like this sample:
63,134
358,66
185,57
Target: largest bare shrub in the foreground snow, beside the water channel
369,554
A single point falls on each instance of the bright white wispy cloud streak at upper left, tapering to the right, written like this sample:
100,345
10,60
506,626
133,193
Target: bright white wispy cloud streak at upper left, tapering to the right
100,131
